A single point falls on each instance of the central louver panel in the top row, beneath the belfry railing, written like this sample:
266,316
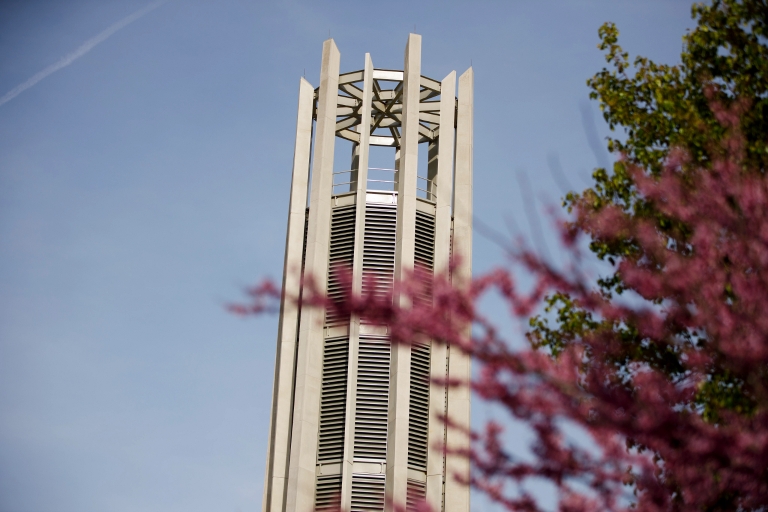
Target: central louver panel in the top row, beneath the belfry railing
379,248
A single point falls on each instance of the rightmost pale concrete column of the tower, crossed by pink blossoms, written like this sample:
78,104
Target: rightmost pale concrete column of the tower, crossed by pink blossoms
456,494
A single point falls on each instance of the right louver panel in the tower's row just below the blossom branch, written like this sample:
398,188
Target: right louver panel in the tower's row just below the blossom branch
418,407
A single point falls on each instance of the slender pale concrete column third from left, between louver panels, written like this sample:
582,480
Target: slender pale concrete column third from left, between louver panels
362,150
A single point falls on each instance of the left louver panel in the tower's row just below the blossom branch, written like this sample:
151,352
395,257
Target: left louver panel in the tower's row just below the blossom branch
333,400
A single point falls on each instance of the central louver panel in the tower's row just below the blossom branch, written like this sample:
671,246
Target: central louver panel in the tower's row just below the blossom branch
371,406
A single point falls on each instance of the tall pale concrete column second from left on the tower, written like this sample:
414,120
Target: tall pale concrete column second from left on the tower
306,413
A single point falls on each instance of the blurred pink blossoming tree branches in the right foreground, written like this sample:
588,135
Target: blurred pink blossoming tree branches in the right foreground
701,294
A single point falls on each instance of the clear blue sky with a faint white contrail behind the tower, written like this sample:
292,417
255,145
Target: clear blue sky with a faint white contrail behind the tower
145,183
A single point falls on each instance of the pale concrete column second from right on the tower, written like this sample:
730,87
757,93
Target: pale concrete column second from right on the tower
443,184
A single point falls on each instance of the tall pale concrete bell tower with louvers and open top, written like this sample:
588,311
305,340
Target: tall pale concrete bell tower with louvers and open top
354,419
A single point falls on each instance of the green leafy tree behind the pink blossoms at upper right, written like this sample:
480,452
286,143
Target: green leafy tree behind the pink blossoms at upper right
655,108
